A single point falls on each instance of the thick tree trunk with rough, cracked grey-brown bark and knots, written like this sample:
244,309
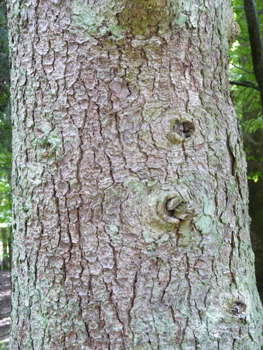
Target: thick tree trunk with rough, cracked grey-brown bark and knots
130,193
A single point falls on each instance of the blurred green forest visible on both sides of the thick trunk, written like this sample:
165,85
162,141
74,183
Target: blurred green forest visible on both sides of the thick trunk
246,97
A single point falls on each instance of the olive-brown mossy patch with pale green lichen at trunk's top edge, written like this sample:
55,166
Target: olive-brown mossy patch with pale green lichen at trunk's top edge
124,19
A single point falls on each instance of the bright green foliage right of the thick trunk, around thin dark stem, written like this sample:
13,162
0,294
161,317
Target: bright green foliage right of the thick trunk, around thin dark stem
247,100
